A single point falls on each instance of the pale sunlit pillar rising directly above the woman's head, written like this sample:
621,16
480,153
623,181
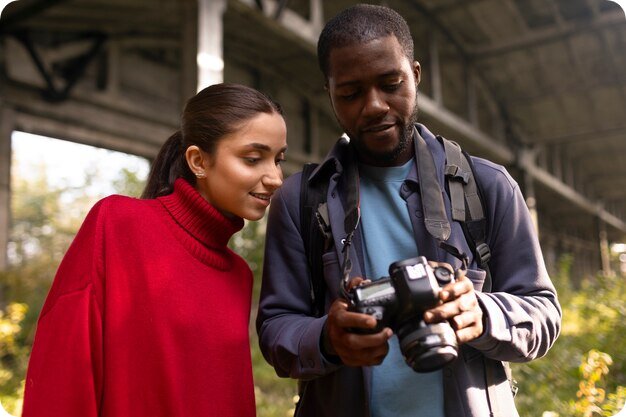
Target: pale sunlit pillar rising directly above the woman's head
210,42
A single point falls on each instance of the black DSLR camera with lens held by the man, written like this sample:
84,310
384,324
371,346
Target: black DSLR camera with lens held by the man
399,302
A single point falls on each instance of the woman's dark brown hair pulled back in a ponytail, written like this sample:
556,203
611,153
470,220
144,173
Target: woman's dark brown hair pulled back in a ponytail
213,113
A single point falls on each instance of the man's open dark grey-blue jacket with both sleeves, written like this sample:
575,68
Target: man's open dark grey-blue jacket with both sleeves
521,315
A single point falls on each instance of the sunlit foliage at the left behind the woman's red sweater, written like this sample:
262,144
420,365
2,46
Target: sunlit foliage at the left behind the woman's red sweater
44,221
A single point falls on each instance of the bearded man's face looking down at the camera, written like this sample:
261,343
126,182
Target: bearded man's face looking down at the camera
373,91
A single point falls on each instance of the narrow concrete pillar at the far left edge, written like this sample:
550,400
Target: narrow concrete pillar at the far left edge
6,129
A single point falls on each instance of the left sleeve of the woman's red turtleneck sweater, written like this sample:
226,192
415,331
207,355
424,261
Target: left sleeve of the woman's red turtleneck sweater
64,375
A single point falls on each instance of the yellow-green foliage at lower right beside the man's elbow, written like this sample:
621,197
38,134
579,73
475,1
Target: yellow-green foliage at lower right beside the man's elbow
592,322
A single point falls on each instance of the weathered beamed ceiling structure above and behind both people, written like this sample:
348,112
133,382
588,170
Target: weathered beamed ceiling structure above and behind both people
536,85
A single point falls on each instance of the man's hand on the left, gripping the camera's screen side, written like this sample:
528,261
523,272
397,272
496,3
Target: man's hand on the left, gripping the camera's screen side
354,349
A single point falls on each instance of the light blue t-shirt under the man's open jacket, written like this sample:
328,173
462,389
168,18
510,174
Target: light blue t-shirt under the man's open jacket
397,390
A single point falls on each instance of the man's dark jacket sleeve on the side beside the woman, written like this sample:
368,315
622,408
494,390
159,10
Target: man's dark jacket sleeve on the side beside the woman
289,335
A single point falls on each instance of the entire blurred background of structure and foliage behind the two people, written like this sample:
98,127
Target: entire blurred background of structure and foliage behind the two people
90,89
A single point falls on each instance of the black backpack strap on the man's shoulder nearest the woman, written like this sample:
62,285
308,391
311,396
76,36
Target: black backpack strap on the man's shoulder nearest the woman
315,232
